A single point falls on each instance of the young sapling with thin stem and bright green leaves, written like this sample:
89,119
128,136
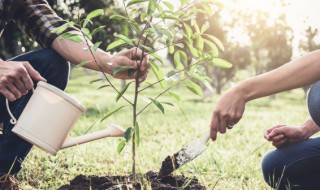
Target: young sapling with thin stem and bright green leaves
157,25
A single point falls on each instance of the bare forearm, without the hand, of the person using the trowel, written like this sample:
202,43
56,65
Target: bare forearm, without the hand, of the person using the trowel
301,72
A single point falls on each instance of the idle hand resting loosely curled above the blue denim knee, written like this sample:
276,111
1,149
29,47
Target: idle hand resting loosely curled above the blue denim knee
282,135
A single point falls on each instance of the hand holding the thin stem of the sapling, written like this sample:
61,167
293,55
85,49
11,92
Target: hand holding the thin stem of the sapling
132,58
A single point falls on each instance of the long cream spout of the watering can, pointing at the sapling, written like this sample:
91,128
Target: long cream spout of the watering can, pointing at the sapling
112,131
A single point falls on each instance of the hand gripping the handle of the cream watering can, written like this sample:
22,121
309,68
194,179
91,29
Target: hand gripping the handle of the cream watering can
16,79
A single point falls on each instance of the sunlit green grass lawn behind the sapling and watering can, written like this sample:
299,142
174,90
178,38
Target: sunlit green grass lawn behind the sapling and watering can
232,162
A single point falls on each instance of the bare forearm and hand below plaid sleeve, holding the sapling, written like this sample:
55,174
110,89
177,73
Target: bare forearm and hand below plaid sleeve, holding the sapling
75,53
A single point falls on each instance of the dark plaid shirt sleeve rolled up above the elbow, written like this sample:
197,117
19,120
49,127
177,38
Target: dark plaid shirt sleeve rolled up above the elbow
37,19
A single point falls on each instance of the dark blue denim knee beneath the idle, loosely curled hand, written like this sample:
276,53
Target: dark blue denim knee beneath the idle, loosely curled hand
296,165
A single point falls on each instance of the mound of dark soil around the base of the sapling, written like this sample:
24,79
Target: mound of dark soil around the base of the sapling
152,179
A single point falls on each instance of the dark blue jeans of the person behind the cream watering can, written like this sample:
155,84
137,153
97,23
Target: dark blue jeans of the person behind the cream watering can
55,70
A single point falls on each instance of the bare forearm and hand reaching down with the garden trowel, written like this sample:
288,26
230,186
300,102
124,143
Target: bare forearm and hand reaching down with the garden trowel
298,73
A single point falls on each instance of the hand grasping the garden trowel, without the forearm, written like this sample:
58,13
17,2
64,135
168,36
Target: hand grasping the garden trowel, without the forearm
228,112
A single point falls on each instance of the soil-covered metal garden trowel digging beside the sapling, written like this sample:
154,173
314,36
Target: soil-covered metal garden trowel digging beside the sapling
184,155
